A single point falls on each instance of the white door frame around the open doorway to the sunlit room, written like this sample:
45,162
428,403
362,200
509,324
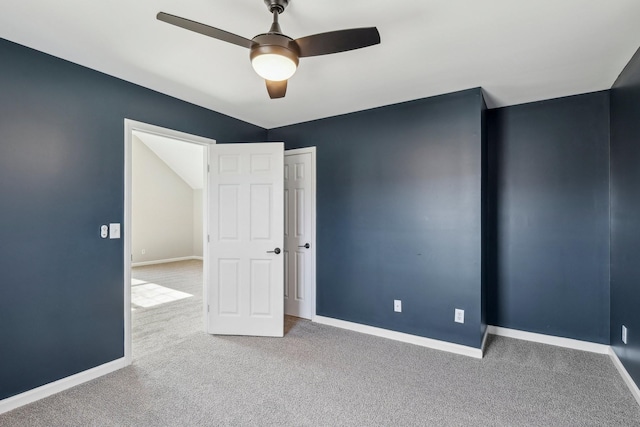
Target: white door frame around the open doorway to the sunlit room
129,127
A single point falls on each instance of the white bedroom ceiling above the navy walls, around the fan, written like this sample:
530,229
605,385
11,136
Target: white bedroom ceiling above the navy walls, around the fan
517,50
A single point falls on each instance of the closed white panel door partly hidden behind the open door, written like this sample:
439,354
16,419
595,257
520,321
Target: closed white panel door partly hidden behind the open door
299,249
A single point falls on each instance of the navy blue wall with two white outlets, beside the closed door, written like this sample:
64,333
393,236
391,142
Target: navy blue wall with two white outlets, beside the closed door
399,214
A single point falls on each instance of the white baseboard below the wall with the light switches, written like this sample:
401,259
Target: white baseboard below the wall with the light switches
46,390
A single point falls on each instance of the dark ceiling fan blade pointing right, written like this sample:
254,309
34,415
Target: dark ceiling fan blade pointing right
337,41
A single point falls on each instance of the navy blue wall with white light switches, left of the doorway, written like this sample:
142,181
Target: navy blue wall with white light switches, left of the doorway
61,176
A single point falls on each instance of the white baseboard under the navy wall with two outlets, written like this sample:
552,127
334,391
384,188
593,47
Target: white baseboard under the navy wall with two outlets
400,336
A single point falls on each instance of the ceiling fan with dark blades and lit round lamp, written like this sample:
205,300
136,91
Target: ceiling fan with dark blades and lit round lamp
274,56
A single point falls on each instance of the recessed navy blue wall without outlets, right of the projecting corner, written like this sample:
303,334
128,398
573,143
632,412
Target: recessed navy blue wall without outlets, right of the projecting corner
549,207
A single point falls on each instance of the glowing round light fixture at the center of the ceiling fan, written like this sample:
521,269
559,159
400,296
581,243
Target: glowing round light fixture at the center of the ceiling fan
275,63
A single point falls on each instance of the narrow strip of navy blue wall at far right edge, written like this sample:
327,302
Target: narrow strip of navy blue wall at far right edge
625,216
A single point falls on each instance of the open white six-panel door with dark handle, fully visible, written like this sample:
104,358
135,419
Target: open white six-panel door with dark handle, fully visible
246,268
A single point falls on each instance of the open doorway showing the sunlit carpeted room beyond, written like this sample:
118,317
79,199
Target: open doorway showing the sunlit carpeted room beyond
164,229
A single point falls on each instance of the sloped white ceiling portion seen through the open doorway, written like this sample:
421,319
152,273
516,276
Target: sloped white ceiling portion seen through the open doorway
186,159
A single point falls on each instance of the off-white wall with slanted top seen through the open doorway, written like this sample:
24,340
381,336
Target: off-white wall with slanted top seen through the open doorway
166,211
